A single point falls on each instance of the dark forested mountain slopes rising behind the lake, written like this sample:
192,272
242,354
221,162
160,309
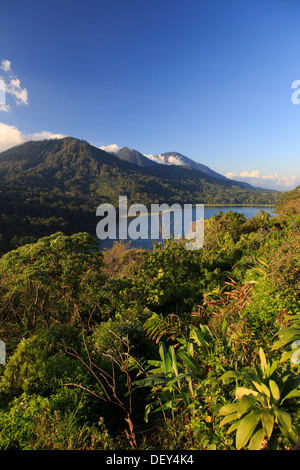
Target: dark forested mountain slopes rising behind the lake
57,185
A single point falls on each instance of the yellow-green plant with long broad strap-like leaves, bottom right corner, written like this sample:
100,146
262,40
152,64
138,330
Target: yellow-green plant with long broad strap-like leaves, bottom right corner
261,406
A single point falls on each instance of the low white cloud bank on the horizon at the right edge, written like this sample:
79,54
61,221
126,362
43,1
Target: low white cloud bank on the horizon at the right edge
271,181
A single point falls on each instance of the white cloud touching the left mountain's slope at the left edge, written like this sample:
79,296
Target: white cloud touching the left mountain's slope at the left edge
11,136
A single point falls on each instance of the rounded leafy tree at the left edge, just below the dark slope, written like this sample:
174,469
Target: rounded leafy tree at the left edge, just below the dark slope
56,279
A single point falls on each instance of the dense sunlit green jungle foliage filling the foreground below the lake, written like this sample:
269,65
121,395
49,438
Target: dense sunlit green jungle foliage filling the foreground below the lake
162,349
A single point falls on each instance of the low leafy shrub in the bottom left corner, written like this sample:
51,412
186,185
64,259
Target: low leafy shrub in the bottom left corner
31,423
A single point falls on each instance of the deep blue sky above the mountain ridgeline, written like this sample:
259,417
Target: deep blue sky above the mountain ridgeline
211,79
